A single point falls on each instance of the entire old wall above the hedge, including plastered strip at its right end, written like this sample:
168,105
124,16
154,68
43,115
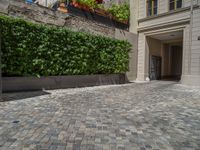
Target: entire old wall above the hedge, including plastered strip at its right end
40,14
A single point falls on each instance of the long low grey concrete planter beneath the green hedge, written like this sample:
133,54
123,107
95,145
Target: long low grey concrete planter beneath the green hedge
11,84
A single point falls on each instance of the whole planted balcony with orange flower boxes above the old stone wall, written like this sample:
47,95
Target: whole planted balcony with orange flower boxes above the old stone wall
112,14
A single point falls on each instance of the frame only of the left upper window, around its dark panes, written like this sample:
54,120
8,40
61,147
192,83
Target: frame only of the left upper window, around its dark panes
152,8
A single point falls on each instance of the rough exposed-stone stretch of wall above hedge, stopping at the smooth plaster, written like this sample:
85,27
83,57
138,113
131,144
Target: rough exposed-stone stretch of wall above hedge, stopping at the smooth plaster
39,14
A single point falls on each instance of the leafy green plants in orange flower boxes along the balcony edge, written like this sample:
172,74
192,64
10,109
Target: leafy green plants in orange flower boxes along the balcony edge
117,15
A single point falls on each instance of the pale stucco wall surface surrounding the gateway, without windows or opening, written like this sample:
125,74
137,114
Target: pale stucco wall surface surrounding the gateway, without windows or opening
179,21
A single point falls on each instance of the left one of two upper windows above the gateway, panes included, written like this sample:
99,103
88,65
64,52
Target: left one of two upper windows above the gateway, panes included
152,7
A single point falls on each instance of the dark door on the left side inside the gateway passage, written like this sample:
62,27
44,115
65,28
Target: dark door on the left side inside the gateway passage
155,68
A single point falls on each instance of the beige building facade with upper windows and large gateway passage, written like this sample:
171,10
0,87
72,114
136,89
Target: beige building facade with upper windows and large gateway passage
168,39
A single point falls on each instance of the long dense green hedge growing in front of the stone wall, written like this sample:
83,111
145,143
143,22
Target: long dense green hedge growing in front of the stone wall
40,50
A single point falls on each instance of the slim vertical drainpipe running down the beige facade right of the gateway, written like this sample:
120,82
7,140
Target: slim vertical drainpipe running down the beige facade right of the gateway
190,45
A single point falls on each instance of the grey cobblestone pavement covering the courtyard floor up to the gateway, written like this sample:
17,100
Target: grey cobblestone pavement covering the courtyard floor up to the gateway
157,115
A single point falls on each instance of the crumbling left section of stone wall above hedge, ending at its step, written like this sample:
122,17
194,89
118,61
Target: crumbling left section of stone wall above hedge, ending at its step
33,13
